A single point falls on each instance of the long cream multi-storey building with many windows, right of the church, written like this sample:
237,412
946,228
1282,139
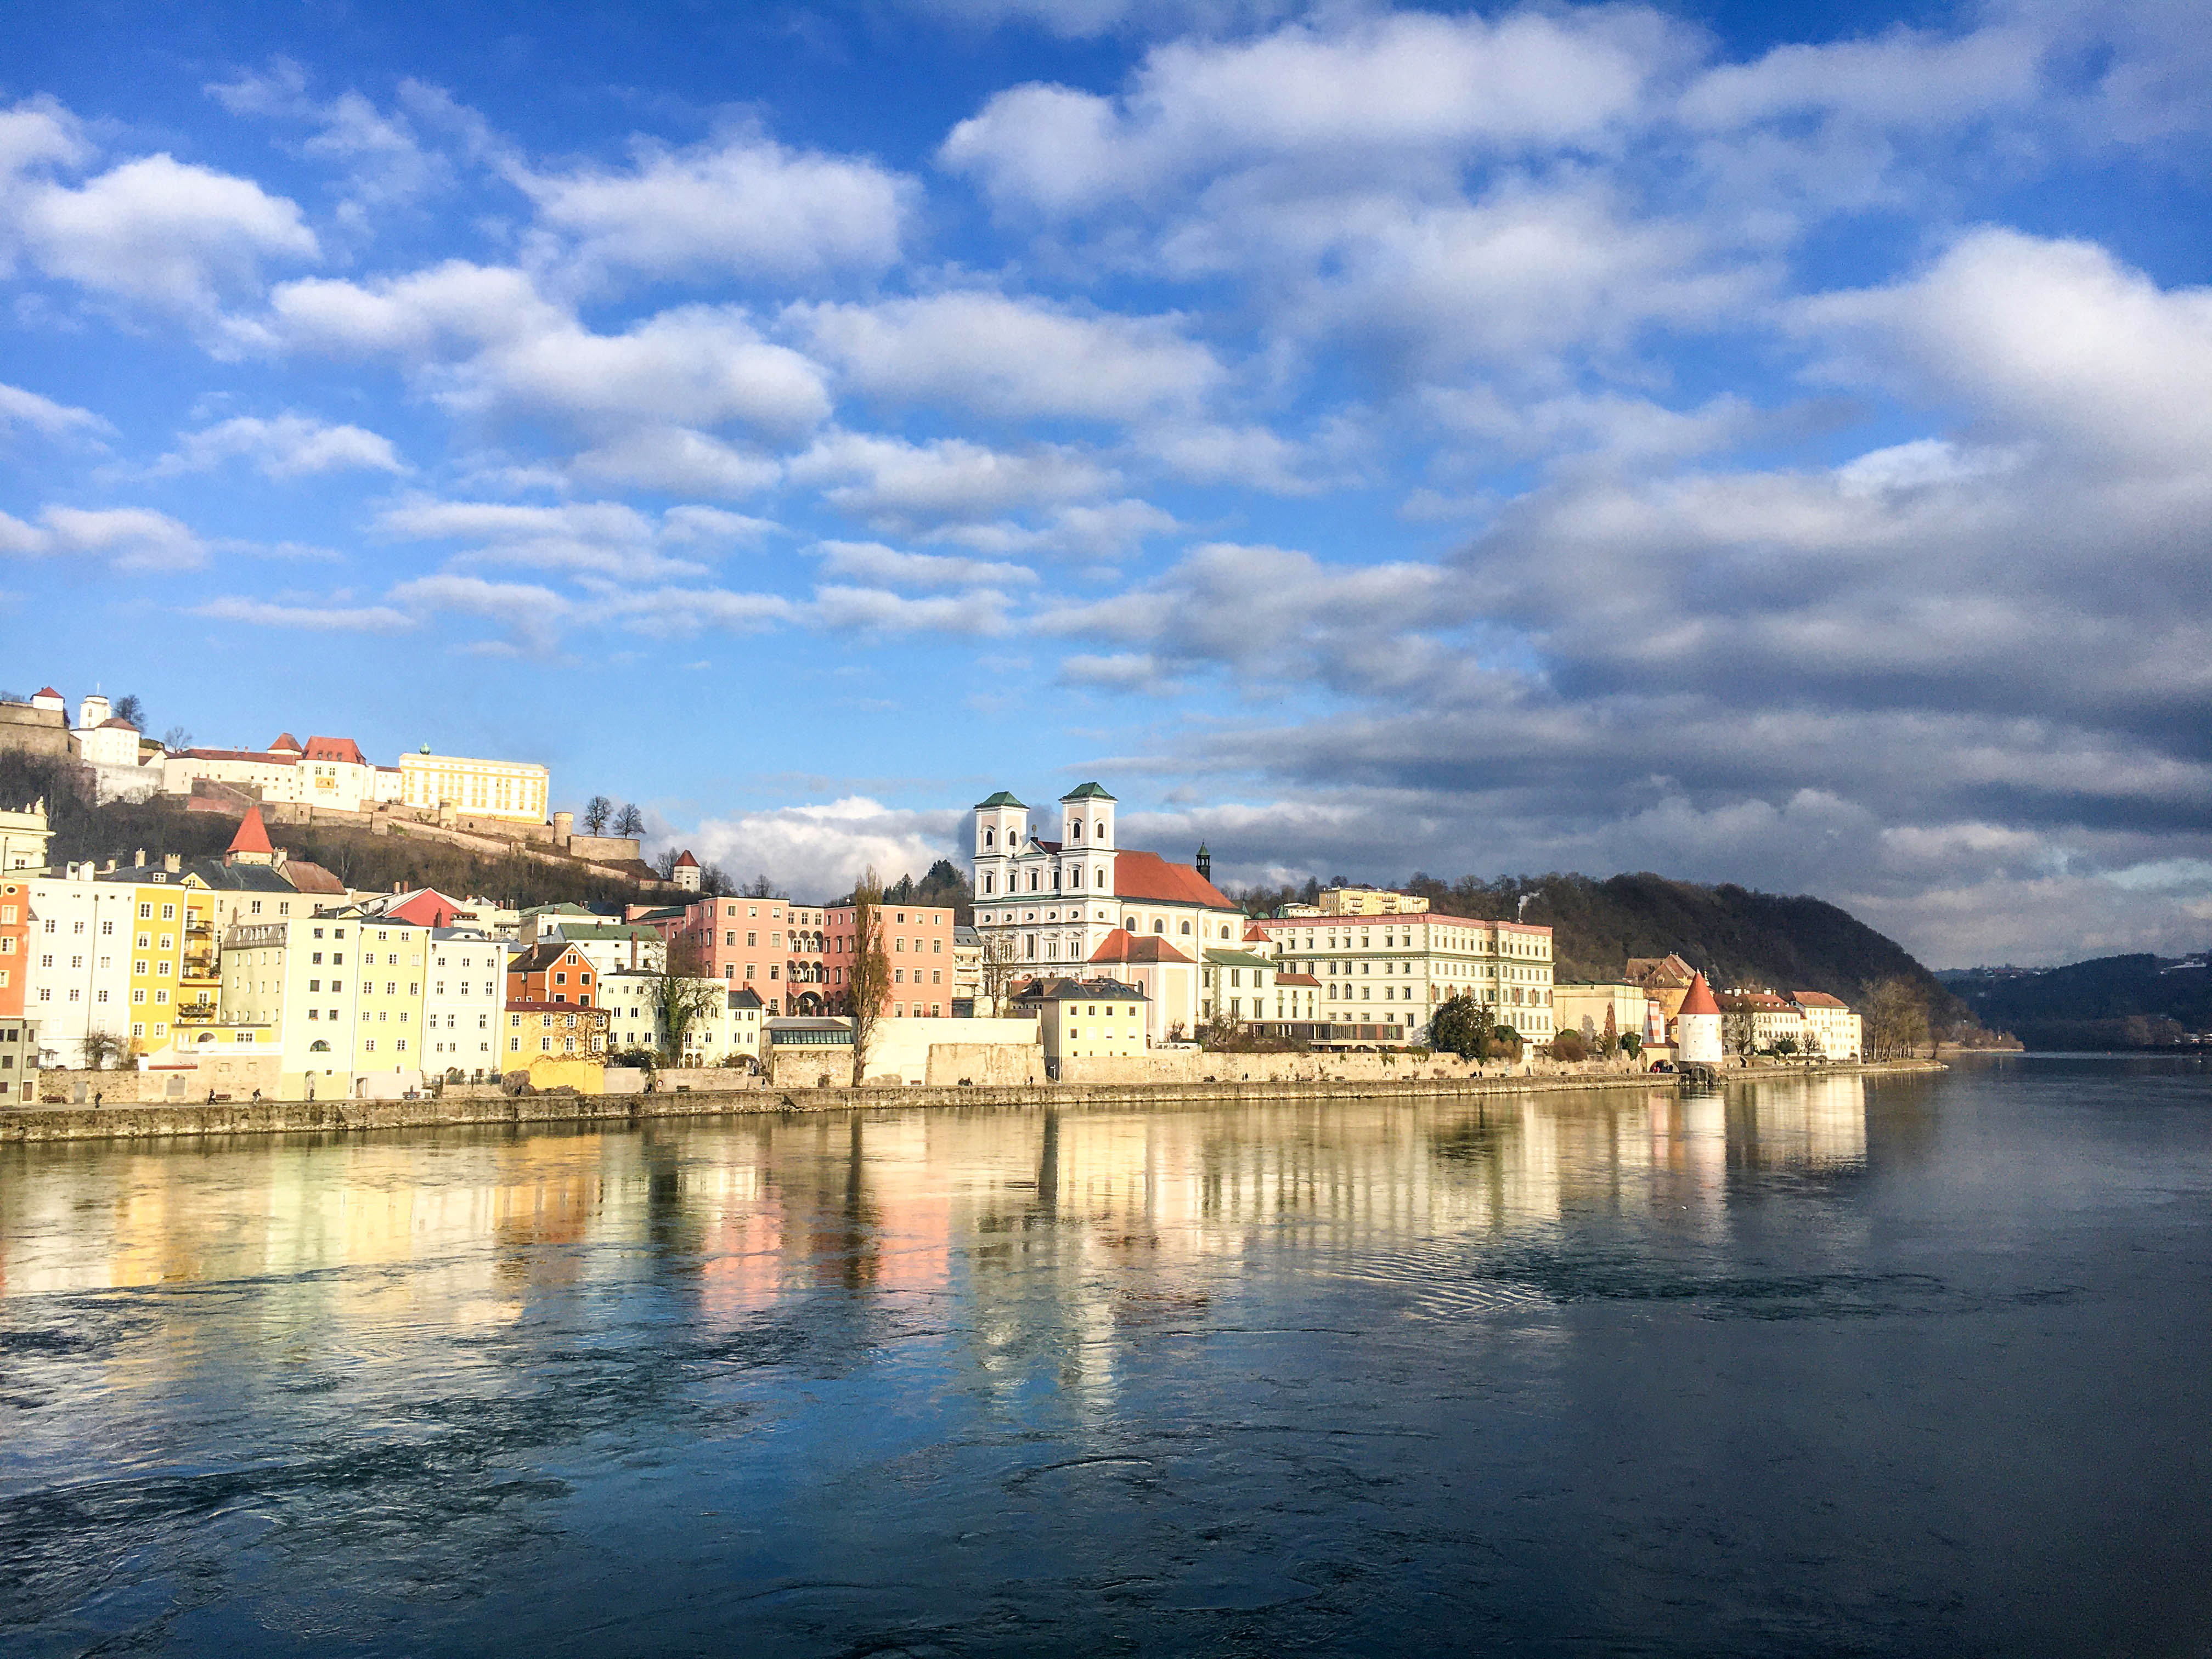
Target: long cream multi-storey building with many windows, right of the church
1386,974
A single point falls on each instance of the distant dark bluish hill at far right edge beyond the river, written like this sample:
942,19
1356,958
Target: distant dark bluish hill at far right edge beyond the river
2107,1003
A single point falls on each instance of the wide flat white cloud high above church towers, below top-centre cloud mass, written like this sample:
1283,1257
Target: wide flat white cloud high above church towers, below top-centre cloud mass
1012,357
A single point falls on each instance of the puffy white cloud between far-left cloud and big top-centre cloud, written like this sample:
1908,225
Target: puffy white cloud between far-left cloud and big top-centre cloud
738,207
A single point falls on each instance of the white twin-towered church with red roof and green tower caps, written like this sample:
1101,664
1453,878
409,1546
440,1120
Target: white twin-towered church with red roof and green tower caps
1085,899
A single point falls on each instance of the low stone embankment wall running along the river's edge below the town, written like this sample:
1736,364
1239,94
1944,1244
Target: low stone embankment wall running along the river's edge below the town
470,1107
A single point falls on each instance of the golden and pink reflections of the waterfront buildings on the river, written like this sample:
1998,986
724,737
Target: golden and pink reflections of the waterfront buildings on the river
1039,1244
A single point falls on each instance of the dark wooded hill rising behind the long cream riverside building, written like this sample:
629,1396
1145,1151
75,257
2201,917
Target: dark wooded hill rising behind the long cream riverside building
1740,937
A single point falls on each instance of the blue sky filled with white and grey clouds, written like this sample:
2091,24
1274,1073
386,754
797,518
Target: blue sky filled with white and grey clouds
1742,441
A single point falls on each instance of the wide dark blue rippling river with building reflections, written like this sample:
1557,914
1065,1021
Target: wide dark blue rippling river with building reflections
1912,1366
